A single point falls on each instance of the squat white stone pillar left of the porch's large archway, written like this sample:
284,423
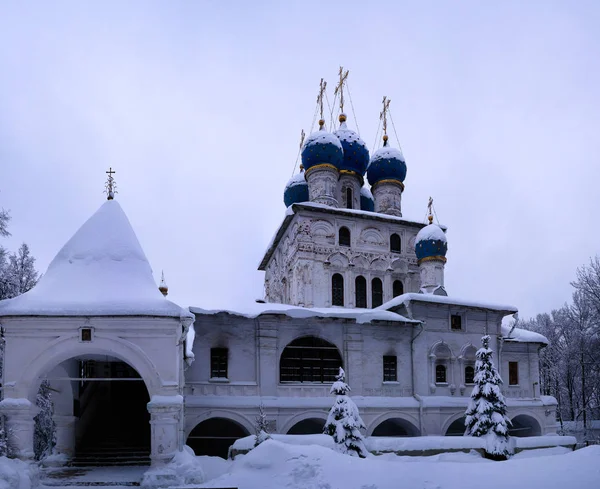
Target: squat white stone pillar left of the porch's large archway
19,425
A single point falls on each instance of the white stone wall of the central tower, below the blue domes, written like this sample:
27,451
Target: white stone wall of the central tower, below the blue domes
309,253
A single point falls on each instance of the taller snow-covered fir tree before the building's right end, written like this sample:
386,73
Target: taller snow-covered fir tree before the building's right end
486,413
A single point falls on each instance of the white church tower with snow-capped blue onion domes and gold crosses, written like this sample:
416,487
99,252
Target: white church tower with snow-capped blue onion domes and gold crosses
341,243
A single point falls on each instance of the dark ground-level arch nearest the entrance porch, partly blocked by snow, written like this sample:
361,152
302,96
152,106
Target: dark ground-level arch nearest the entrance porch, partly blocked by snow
214,436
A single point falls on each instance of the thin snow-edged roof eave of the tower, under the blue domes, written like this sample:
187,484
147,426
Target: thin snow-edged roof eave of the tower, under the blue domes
315,207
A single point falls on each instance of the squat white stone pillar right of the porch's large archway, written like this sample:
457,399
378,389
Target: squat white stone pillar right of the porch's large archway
166,414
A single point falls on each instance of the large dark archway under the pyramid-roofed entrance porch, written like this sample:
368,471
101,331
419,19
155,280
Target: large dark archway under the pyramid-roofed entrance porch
109,407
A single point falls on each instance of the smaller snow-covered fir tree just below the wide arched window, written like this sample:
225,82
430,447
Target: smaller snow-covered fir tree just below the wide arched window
344,422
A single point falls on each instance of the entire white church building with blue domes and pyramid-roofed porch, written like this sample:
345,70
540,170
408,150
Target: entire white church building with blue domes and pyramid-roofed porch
349,282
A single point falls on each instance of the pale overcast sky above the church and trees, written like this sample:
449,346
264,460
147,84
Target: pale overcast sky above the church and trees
199,106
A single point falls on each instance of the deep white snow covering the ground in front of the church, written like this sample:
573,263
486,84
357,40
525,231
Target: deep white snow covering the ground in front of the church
275,465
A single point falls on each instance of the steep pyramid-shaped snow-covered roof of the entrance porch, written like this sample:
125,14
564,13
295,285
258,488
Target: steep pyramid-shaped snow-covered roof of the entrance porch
101,271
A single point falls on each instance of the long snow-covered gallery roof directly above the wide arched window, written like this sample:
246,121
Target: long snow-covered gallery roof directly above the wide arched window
256,309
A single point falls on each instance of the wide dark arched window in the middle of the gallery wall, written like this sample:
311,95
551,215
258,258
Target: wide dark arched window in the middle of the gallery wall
309,359
